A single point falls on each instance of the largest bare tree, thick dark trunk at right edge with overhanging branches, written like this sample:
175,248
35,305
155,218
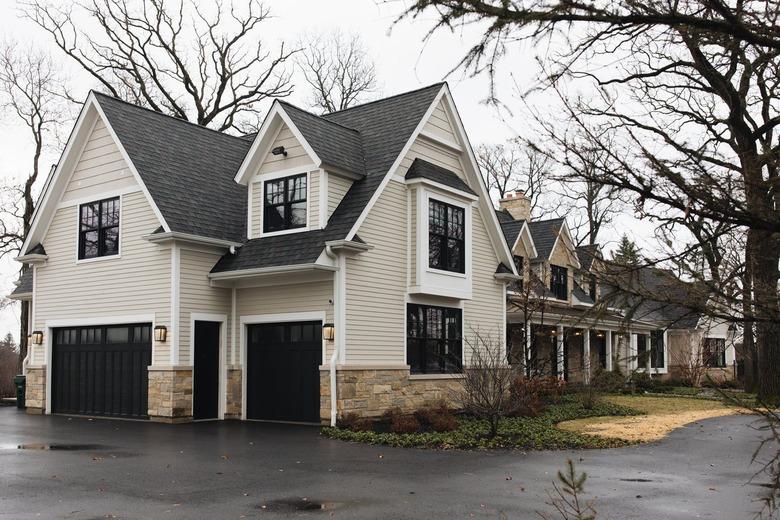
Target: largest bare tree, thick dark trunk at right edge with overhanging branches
688,110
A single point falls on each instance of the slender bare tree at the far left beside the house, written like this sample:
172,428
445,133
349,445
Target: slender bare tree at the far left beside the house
34,94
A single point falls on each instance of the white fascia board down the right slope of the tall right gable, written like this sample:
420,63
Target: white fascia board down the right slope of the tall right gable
485,204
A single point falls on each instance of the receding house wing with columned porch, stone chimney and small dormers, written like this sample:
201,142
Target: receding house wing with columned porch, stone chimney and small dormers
572,326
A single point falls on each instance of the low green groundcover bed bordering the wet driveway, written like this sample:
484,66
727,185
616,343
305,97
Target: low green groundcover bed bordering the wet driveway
538,433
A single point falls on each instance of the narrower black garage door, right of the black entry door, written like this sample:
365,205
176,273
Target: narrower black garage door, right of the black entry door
283,379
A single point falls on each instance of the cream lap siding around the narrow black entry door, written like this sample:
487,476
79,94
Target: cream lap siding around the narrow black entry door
197,296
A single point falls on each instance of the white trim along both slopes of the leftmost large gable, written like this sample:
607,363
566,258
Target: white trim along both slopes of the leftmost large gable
62,173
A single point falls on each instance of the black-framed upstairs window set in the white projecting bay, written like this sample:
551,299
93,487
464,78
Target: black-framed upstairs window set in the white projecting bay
446,237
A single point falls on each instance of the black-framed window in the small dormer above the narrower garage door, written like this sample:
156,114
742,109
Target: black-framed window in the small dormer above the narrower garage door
284,203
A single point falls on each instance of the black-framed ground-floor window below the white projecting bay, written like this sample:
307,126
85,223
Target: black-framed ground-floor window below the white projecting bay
434,339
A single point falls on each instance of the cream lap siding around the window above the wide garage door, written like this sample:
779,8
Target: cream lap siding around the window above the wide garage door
137,283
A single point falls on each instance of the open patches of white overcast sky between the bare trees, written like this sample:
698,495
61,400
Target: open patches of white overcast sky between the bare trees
404,62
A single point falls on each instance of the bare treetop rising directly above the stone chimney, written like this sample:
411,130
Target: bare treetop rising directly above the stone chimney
514,166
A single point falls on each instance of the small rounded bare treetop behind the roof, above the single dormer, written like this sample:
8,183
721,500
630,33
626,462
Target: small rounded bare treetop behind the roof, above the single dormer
338,69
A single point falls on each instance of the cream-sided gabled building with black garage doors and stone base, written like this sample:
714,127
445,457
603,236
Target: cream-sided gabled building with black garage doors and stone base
180,273
